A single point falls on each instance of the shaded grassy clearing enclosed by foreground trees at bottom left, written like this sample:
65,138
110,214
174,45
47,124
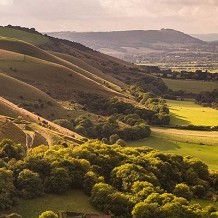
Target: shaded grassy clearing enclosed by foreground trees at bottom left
74,200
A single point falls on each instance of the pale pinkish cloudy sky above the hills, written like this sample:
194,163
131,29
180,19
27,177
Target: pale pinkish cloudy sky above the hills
189,16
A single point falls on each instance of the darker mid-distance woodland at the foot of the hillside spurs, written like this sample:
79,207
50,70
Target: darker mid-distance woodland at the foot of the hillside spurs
121,119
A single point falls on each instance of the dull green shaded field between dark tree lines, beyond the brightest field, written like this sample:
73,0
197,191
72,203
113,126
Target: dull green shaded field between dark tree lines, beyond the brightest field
190,85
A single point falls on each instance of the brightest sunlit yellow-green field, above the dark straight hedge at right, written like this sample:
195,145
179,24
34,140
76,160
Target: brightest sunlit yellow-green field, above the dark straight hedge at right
187,112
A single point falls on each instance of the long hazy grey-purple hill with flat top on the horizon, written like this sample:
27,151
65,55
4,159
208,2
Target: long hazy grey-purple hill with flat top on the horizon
134,38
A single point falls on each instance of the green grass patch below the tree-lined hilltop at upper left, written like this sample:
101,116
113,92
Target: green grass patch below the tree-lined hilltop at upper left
32,38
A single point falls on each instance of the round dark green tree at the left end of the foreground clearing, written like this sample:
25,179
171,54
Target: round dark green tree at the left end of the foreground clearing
29,184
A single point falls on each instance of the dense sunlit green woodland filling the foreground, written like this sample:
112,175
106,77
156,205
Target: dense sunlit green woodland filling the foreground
120,181
